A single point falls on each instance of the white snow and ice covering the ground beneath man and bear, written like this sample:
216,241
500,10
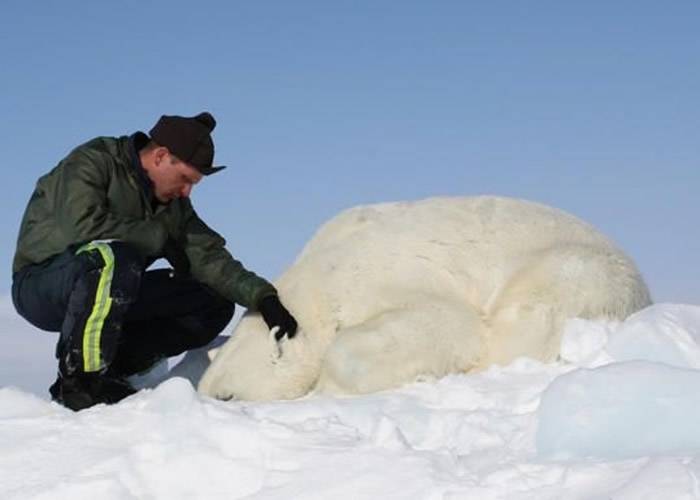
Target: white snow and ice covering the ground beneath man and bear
617,418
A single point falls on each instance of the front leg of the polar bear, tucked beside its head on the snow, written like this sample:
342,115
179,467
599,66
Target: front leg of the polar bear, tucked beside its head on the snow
432,338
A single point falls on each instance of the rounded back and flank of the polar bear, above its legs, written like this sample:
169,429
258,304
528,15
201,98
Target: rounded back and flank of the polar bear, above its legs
463,248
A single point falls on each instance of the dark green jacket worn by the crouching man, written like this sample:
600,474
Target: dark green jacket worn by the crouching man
98,192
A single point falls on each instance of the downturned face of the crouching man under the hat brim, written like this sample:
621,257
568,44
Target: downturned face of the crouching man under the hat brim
172,178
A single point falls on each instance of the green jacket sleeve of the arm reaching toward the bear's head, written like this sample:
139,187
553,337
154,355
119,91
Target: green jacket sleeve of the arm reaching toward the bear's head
213,265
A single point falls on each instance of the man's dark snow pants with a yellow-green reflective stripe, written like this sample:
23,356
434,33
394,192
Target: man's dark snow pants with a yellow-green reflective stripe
111,313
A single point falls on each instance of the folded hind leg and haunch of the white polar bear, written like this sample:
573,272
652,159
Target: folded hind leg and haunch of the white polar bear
554,285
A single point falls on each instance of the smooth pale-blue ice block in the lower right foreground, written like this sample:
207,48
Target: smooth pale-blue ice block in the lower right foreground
626,409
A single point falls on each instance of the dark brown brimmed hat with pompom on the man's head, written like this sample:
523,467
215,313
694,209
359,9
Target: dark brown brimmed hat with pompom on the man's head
189,139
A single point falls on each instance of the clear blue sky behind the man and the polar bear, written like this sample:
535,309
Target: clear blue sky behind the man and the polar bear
593,107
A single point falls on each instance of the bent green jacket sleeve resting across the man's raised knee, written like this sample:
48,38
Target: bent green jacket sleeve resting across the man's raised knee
83,213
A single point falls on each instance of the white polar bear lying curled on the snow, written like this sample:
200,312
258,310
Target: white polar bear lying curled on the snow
386,294
